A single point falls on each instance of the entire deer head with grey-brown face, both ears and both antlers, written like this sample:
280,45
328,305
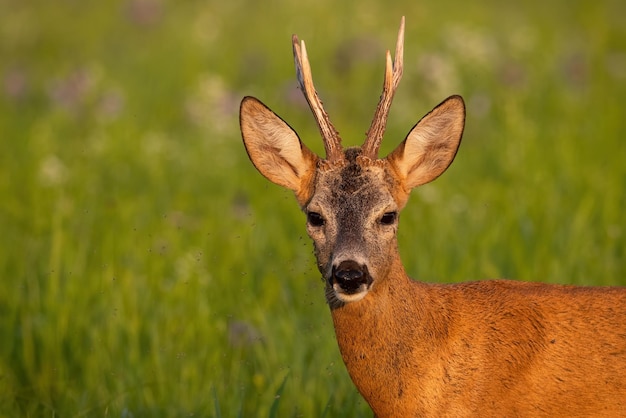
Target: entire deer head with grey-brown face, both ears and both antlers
352,198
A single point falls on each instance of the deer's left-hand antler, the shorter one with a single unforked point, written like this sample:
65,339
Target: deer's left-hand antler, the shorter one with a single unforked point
332,141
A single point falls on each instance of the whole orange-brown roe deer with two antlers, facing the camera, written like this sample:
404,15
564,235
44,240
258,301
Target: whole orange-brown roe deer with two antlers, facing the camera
502,348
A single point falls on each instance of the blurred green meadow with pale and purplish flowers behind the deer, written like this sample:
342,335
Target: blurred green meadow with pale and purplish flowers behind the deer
148,270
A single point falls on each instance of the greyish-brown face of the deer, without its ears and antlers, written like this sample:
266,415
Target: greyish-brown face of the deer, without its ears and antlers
352,219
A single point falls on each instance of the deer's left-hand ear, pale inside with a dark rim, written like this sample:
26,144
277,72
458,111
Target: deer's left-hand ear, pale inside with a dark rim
274,147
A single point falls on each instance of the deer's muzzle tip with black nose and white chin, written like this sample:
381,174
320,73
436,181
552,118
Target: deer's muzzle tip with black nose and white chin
350,280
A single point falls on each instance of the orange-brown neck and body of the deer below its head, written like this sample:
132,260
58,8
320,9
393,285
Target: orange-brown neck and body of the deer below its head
492,348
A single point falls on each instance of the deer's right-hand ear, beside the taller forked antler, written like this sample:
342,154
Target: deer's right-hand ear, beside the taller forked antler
431,145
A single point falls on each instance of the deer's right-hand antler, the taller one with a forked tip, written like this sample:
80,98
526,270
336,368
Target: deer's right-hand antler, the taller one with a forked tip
393,74
